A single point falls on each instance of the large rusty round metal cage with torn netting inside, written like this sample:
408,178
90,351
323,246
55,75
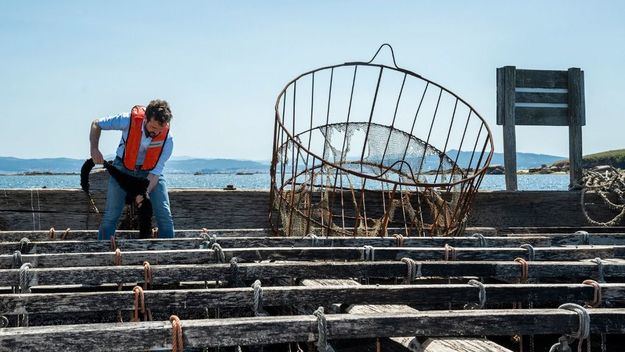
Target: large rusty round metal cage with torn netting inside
361,148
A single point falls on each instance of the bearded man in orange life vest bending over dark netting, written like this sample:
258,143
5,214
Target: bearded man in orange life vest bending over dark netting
145,147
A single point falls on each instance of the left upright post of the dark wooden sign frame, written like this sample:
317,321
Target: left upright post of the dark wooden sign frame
506,78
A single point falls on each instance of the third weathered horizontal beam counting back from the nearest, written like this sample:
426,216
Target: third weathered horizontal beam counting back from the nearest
167,274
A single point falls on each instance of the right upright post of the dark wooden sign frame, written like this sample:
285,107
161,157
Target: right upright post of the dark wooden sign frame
577,119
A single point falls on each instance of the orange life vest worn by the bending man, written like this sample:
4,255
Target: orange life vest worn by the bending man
133,142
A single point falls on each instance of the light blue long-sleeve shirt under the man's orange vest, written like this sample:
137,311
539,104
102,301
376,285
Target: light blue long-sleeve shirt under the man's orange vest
121,122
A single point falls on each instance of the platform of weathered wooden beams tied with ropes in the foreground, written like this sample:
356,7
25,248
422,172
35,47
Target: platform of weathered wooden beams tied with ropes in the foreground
387,294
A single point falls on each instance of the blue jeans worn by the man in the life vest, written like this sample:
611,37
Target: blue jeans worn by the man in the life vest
115,197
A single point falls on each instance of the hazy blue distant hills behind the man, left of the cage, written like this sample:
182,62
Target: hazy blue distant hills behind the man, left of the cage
10,165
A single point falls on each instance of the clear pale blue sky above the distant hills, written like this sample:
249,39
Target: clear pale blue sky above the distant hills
222,64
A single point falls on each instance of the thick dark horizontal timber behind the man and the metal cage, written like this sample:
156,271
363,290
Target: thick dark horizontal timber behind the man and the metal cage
494,209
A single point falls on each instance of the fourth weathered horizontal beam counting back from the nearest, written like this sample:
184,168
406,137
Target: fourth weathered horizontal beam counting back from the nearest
207,256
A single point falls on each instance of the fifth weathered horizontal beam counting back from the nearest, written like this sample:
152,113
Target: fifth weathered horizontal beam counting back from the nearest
260,242
